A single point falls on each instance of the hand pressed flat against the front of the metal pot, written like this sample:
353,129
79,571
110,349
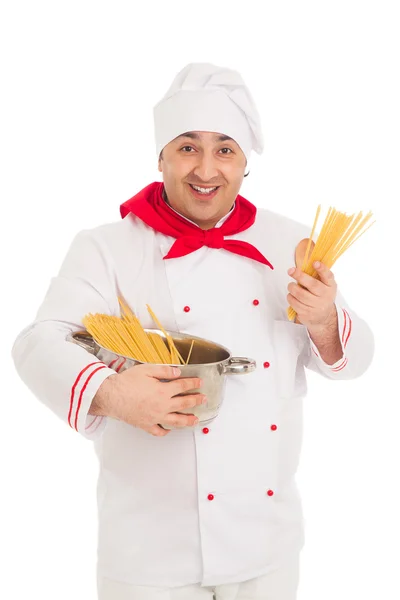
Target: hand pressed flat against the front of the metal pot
138,398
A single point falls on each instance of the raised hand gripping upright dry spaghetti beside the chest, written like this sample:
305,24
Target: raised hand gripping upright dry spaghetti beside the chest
313,299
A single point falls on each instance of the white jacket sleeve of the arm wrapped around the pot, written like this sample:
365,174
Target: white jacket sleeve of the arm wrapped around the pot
61,374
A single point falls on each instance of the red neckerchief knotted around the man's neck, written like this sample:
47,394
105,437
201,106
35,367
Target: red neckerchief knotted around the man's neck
150,206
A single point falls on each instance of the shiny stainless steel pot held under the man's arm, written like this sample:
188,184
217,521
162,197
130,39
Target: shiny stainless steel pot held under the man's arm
209,361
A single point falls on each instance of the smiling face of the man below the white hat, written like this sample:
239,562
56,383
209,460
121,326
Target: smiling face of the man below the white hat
207,160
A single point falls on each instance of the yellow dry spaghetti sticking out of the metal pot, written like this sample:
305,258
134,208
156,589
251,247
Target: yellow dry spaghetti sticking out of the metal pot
125,336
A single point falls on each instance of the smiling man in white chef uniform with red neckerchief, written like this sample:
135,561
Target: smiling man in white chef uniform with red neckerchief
192,511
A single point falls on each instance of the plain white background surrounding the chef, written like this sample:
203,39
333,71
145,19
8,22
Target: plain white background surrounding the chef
79,82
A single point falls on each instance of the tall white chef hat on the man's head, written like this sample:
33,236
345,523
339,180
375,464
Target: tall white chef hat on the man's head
205,97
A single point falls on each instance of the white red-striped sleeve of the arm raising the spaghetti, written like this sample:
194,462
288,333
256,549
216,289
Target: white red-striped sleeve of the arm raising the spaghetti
357,342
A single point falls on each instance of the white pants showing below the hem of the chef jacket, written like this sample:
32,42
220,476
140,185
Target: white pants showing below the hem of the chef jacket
280,584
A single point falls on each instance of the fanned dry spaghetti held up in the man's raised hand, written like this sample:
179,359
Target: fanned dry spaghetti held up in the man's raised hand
339,231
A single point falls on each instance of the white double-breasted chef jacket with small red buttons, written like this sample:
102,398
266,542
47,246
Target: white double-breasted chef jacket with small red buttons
201,505
